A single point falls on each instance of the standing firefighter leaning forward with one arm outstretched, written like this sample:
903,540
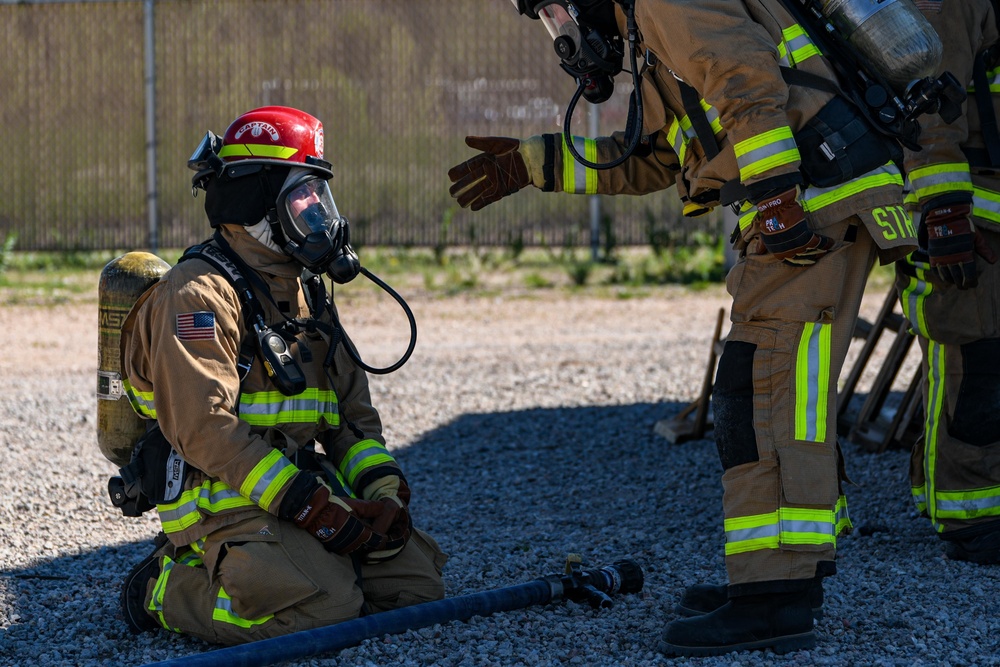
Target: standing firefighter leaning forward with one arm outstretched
737,103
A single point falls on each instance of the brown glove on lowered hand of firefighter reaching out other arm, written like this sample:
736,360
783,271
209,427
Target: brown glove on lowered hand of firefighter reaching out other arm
785,231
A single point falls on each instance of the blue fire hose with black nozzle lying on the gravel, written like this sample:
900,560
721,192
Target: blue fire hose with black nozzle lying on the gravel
594,587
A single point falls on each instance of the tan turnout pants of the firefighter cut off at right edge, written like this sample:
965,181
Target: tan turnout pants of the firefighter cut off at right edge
955,465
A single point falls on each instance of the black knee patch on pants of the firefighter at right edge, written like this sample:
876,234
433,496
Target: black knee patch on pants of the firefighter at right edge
977,407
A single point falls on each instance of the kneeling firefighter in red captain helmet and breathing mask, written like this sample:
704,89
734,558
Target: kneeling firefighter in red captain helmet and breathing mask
281,507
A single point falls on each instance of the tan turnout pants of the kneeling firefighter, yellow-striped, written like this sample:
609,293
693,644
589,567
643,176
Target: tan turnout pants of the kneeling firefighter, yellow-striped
263,578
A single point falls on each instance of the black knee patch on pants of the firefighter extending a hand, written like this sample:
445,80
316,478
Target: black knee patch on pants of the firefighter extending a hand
732,405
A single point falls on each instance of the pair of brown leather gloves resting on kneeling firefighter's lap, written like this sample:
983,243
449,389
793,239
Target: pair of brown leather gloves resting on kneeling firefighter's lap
343,525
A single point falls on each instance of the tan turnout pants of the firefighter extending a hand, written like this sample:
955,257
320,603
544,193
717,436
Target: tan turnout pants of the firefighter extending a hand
774,405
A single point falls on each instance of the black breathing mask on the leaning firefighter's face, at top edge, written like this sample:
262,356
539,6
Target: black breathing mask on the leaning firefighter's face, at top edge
587,43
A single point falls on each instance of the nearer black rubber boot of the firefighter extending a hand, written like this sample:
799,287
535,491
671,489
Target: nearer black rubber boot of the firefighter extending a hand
781,622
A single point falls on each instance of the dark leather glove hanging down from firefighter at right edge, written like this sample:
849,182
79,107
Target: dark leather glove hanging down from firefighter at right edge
953,243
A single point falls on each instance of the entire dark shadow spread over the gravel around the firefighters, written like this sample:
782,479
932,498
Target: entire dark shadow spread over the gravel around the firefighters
508,495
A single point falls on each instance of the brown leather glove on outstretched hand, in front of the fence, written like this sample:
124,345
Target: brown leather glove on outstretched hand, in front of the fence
505,166
